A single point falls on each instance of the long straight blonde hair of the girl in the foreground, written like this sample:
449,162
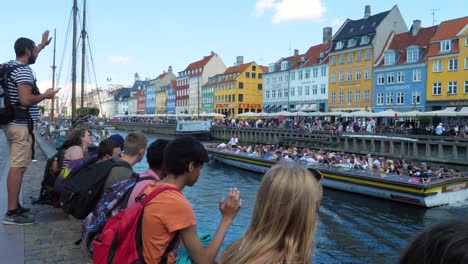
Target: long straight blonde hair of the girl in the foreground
284,218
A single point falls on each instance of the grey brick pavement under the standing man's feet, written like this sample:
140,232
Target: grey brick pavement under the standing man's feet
51,239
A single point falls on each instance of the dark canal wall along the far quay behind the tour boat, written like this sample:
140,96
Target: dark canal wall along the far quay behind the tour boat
434,149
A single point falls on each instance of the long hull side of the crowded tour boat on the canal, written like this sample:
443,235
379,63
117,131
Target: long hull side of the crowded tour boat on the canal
425,192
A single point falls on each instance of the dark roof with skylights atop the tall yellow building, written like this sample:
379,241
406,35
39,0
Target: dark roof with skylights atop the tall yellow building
356,28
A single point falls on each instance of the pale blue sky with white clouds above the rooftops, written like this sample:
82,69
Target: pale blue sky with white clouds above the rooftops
148,36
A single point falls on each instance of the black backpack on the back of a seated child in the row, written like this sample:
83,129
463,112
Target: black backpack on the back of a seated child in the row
82,190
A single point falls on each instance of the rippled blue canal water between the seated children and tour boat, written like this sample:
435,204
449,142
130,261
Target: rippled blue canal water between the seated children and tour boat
352,228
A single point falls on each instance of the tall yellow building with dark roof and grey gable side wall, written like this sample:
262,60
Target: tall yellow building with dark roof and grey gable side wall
356,48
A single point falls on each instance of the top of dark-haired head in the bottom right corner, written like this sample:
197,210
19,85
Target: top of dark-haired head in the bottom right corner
445,242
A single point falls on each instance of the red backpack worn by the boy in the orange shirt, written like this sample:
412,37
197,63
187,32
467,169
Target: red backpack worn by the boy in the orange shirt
121,238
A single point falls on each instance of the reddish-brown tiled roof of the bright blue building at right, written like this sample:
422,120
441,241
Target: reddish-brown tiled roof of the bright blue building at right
405,40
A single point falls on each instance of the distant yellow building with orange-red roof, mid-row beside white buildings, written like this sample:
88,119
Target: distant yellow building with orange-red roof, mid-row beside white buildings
239,89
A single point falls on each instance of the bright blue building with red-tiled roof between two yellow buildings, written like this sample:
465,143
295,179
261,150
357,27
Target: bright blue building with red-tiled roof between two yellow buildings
400,80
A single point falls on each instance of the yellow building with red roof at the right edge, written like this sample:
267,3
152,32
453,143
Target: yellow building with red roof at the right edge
447,66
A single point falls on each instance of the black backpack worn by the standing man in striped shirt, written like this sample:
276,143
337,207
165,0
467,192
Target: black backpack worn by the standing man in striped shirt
8,111
